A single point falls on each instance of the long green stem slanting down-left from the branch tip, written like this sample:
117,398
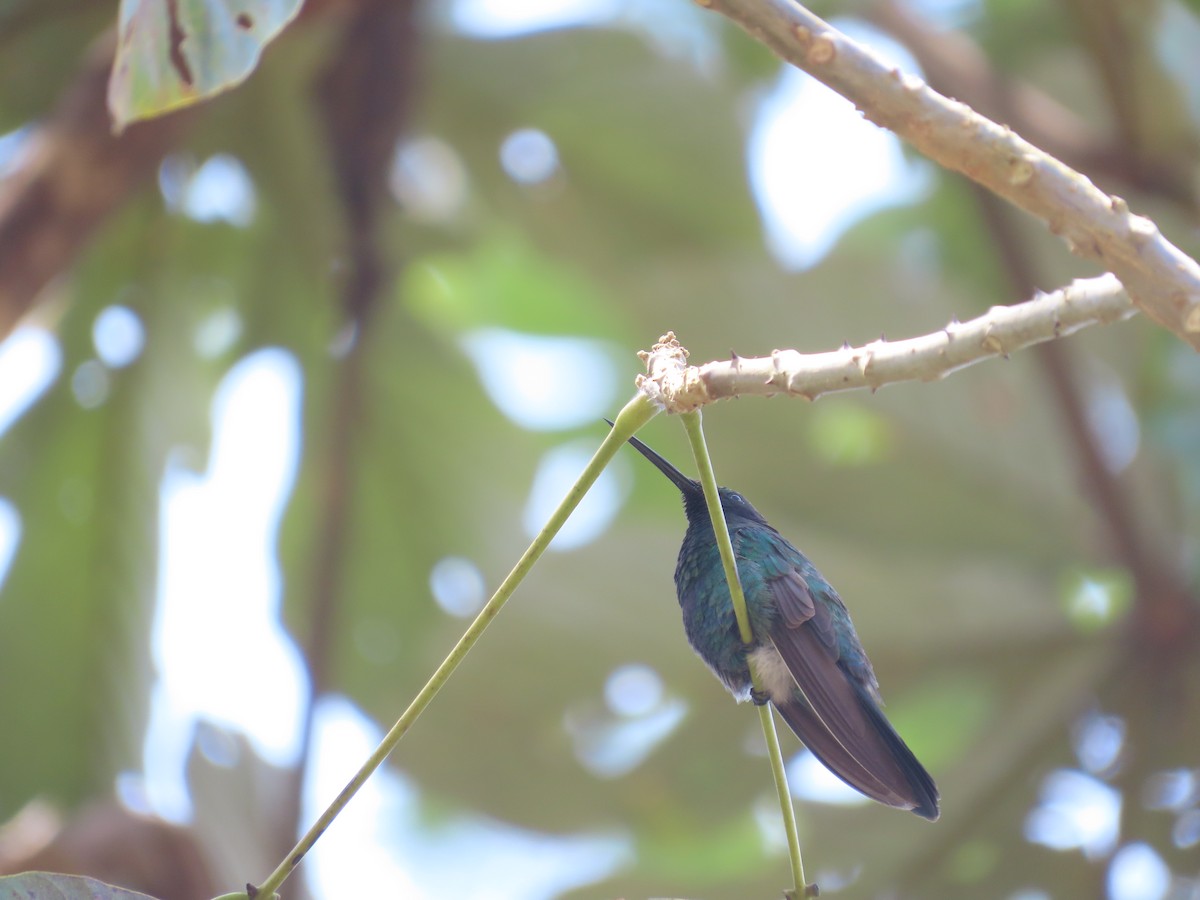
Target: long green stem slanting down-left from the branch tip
635,415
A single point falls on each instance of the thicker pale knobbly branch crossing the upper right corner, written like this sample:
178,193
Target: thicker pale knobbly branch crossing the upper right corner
1163,281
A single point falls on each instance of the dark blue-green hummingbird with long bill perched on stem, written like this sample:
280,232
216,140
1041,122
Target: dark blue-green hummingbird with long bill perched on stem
811,663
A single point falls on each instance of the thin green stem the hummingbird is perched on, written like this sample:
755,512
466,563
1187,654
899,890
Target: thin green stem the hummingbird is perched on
695,429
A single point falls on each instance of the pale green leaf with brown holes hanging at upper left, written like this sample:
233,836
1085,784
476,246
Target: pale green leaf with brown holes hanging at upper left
173,53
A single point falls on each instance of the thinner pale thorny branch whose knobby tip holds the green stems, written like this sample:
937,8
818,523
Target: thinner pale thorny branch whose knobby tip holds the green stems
680,388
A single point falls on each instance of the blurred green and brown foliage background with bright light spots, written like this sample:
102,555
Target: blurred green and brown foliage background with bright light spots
454,243
